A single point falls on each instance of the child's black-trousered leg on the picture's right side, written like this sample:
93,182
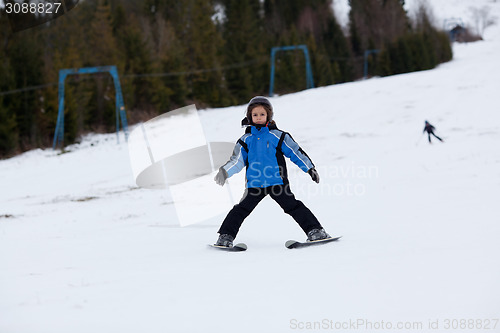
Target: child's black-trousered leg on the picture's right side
295,208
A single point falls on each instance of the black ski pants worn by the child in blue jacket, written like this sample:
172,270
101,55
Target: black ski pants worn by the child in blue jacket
279,193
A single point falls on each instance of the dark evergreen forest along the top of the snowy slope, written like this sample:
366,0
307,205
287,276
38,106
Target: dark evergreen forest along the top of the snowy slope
212,53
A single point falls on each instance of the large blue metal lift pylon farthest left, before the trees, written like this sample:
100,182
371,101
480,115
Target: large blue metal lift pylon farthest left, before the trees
120,107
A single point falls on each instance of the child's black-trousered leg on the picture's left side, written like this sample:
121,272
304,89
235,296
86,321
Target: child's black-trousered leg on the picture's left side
238,214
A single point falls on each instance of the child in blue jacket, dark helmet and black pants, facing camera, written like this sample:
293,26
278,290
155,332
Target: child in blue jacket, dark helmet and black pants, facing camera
261,151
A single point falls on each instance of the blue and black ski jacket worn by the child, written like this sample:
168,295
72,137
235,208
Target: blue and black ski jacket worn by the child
261,151
